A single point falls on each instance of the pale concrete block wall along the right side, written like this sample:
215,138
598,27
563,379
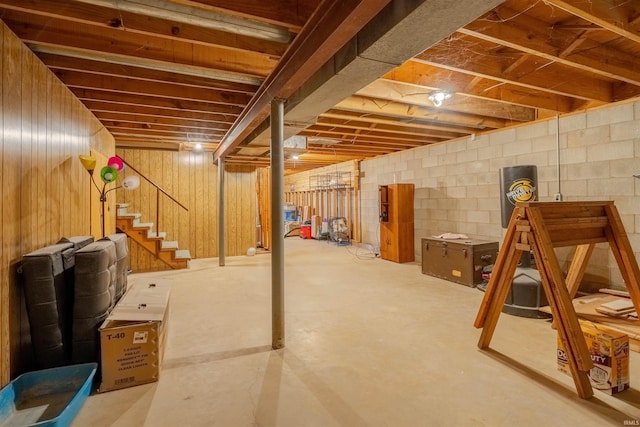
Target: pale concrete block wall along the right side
457,183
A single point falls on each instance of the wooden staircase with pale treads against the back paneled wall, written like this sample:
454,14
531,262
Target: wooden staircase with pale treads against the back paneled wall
155,242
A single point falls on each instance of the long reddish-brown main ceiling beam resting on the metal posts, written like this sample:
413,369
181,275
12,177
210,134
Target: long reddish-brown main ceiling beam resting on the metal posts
333,24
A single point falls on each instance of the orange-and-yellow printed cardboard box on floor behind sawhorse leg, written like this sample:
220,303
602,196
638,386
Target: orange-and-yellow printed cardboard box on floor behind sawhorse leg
609,351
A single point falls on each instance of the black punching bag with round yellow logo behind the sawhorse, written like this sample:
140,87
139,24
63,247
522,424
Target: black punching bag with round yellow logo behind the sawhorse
517,184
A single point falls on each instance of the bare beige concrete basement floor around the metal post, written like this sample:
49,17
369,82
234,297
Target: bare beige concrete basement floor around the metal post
368,343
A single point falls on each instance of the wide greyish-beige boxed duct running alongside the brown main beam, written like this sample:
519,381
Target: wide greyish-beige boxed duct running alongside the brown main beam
391,38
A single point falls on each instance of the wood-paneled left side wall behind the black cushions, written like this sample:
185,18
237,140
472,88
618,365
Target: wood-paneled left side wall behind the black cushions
45,190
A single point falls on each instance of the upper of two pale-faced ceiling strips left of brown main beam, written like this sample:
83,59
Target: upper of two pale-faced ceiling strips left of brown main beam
165,9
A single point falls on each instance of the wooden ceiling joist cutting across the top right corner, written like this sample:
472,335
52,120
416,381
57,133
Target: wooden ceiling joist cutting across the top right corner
604,13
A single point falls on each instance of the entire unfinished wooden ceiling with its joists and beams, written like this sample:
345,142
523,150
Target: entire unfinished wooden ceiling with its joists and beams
167,73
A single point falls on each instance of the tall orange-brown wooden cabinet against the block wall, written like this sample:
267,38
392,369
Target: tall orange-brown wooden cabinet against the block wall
396,222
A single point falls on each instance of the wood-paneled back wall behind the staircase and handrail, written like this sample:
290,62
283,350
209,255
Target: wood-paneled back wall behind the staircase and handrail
192,179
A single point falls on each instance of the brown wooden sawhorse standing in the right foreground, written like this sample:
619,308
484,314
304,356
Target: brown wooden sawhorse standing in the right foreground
540,227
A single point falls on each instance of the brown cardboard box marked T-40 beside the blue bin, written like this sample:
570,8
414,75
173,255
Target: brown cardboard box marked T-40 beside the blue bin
132,338
